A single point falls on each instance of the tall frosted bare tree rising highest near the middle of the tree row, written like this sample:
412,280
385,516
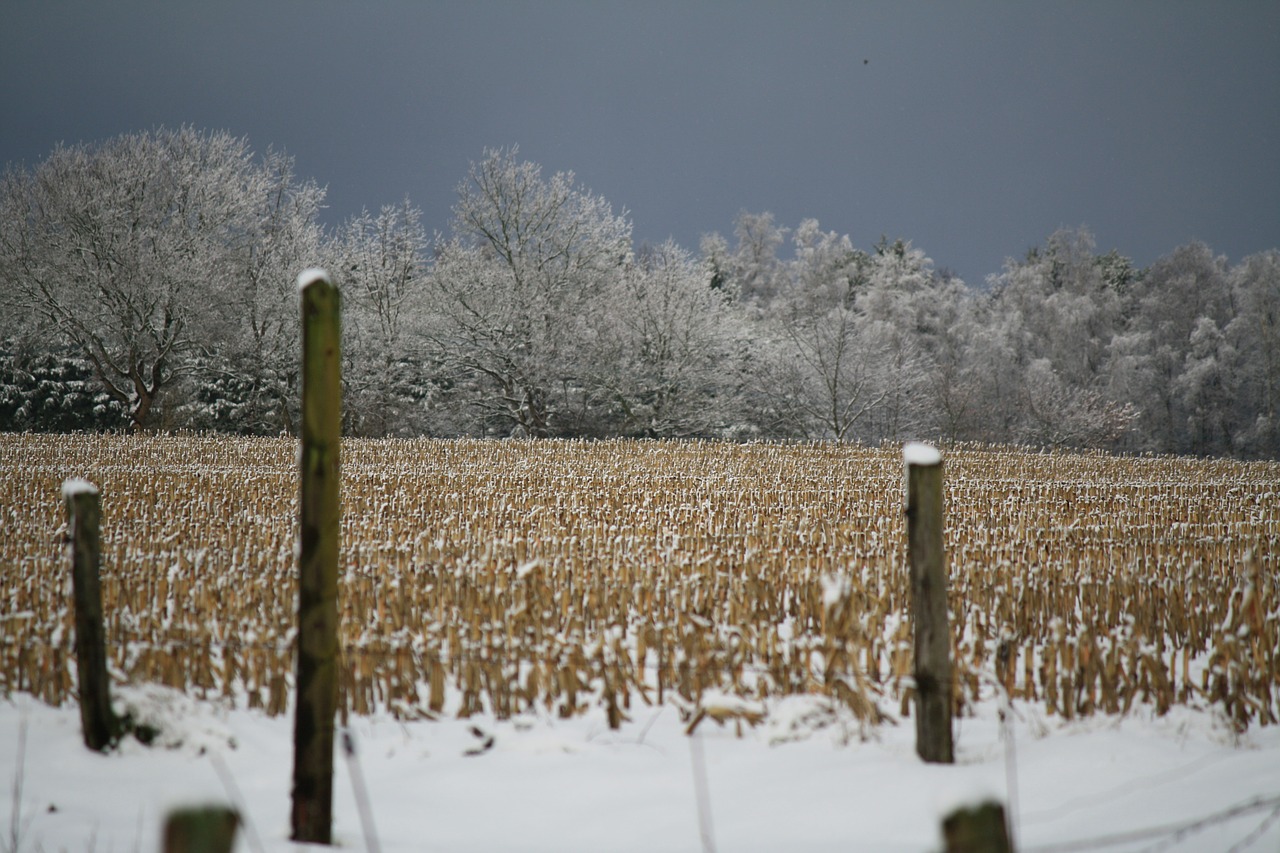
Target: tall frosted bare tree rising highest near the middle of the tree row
529,262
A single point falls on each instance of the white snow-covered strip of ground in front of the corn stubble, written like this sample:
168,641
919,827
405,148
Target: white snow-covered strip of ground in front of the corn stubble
804,781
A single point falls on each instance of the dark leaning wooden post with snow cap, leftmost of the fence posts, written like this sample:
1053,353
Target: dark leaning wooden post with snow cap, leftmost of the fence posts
84,516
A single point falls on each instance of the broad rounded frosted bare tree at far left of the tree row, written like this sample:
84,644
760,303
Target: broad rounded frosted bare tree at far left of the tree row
136,253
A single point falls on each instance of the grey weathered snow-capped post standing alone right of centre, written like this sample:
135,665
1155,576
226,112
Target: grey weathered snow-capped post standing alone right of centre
929,603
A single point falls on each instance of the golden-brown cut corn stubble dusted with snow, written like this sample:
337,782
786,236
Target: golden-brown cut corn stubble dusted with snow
502,577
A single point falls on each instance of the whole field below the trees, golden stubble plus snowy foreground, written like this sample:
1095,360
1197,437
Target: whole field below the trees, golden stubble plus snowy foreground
1167,564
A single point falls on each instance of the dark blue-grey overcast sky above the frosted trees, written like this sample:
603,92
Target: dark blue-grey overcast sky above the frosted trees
973,129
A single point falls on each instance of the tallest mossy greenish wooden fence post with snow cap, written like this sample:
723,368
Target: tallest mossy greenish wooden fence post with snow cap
319,519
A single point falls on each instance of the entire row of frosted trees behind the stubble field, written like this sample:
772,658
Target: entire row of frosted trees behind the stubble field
149,285
